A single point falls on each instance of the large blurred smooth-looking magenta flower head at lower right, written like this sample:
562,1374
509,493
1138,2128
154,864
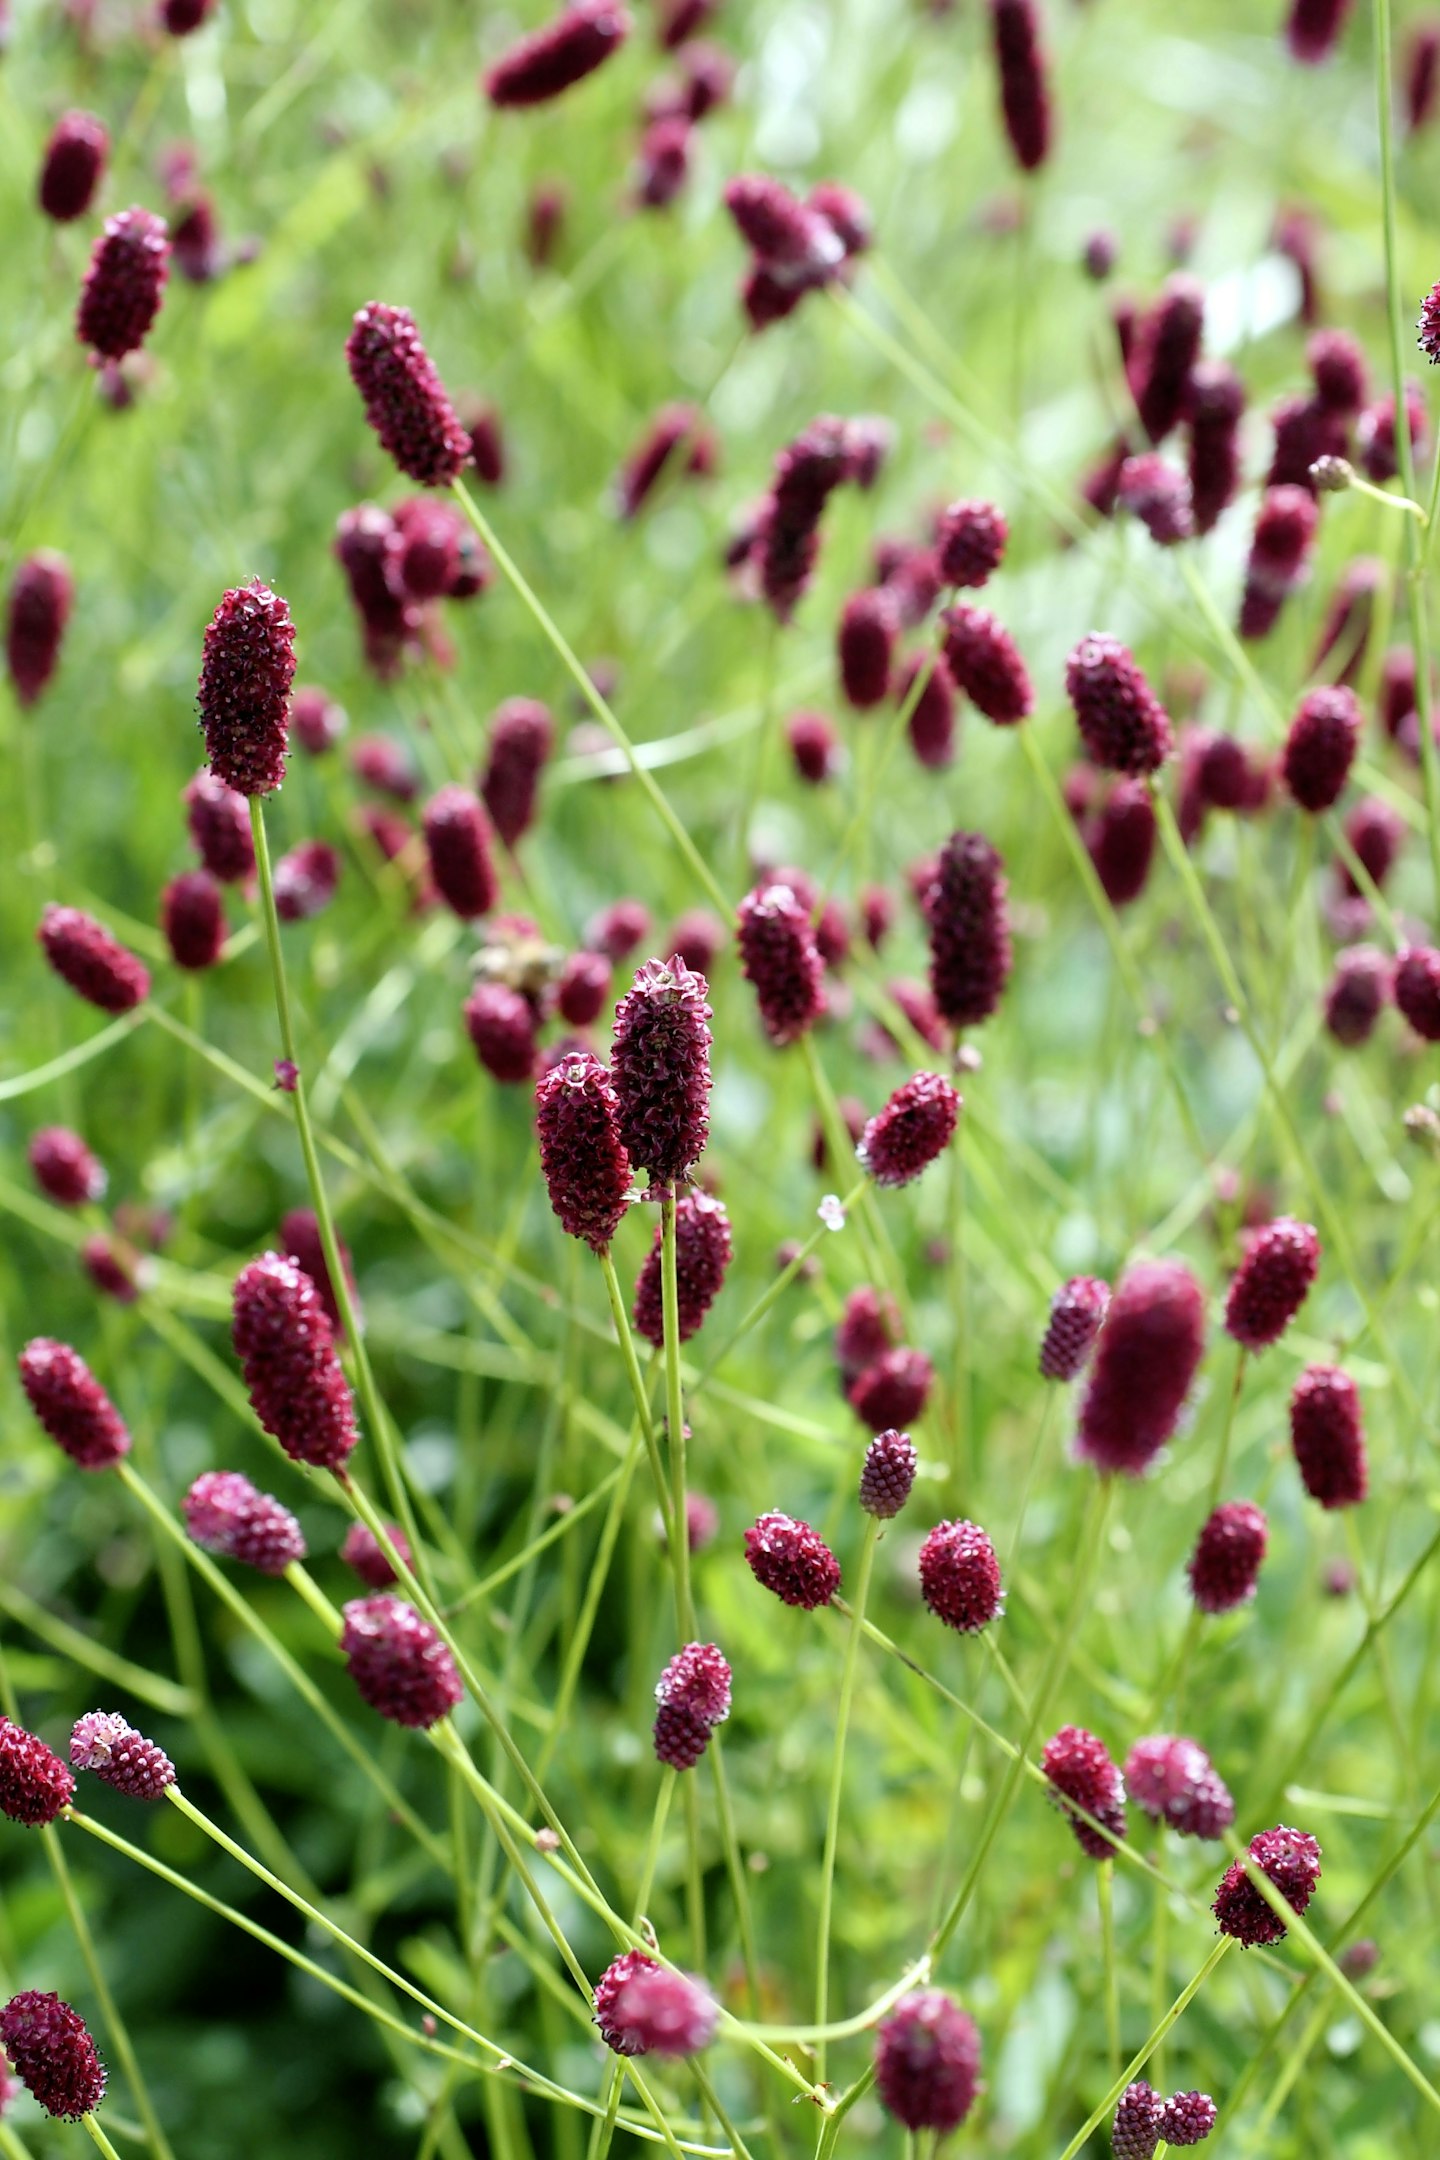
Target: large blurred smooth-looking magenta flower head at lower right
1143,1368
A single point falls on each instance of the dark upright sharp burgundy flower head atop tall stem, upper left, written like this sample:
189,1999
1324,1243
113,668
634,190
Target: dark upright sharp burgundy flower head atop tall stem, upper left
247,673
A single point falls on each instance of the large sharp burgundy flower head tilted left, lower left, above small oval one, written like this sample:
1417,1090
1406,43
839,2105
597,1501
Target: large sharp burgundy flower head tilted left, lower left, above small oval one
290,1368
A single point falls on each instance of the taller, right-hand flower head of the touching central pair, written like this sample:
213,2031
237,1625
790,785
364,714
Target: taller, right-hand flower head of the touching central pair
662,1070
